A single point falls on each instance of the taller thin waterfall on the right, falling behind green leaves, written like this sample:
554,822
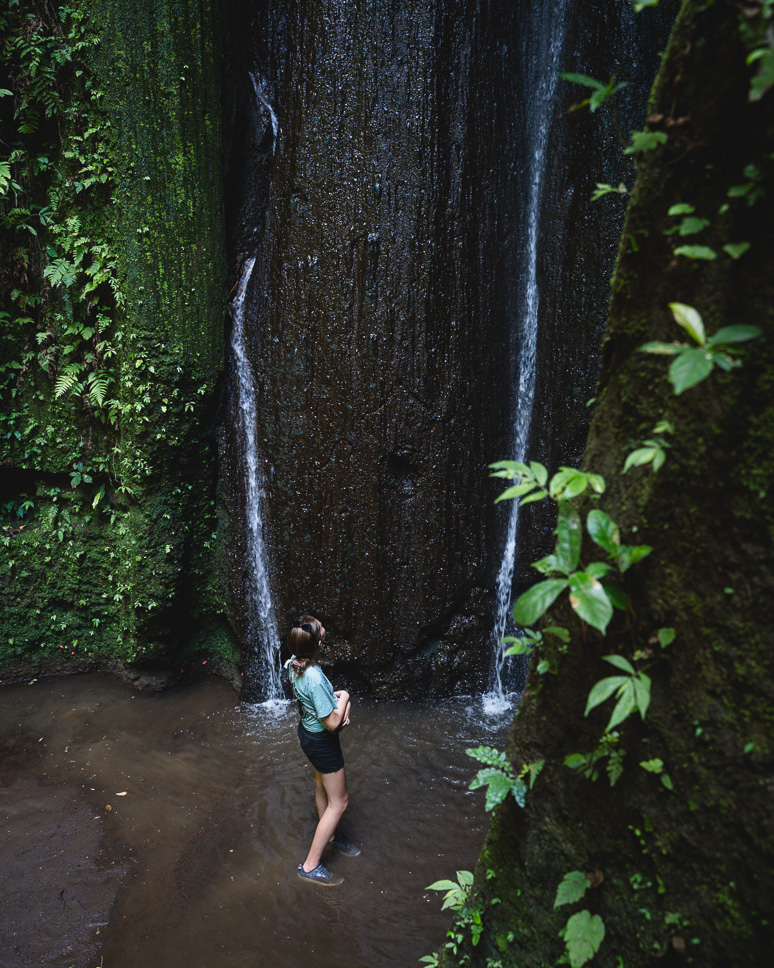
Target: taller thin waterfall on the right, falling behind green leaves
545,57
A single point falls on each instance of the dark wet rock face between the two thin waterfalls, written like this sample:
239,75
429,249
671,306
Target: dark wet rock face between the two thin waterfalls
382,222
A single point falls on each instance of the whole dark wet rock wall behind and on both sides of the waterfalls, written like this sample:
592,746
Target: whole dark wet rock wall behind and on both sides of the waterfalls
387,218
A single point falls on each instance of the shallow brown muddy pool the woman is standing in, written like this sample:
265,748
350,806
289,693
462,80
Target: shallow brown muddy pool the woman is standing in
166,829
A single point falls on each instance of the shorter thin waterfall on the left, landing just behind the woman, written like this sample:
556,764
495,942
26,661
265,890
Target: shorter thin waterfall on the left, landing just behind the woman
263,658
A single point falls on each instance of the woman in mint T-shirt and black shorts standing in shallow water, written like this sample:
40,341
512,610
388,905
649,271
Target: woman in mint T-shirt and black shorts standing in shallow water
323,714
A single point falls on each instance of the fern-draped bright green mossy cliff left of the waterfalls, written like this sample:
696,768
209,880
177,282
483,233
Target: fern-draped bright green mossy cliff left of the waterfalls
113,295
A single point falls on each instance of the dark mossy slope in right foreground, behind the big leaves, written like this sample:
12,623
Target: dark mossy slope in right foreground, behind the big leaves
680,871
